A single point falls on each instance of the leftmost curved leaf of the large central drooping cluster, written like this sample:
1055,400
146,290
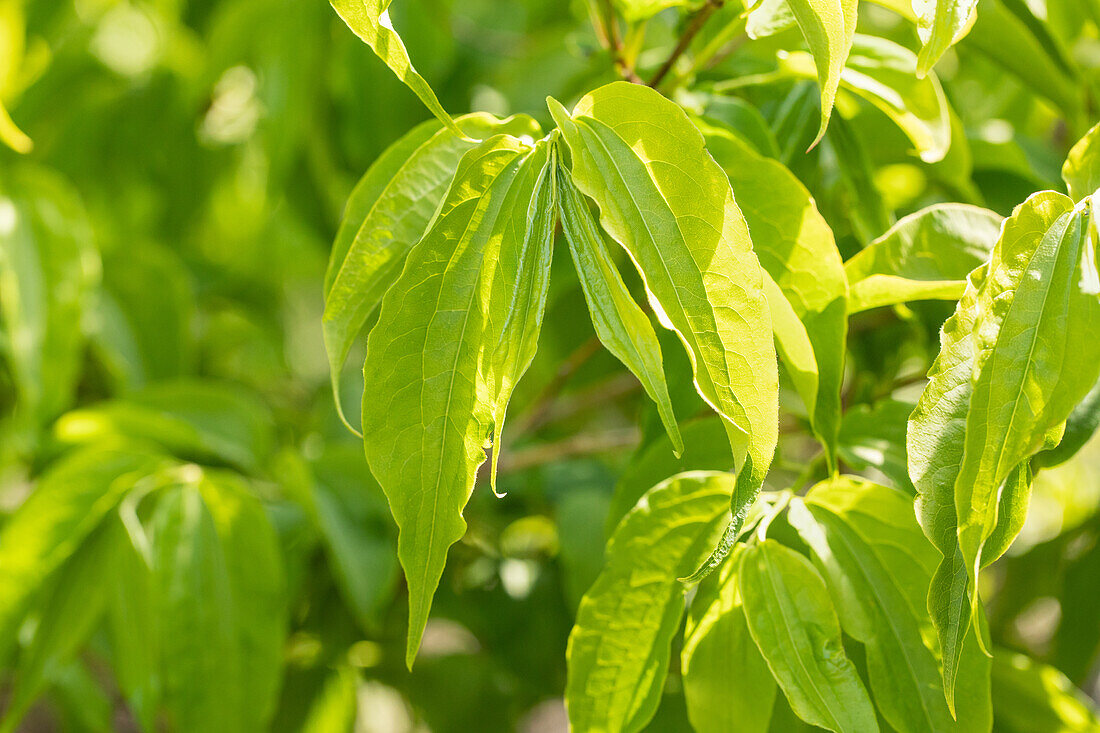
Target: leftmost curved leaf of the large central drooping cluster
387,216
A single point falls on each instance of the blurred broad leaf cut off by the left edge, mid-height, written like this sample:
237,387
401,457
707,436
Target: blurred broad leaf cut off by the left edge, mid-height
49,267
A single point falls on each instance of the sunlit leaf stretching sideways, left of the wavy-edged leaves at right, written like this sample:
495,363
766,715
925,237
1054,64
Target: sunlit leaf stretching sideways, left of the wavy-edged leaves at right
926,256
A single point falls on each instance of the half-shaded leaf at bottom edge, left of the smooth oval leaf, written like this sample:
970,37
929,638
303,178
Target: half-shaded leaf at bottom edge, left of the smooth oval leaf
728,684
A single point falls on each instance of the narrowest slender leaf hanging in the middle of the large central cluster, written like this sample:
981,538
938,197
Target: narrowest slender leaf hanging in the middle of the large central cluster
620,323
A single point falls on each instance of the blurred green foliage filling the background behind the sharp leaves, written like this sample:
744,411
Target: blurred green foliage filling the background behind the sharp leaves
164,246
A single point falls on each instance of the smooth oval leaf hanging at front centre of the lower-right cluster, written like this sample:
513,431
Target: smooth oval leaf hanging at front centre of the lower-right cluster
794,625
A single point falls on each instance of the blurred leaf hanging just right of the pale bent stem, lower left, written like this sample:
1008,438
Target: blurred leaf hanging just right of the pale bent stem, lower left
201,664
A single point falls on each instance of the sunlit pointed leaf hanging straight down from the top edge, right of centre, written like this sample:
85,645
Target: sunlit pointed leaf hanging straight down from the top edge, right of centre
829,28
